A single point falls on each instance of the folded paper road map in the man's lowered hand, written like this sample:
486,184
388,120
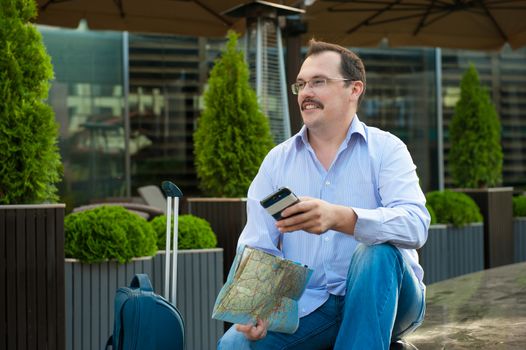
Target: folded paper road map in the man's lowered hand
262,286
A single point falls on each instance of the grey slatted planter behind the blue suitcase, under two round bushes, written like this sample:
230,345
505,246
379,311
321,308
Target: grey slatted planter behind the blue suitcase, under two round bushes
90,292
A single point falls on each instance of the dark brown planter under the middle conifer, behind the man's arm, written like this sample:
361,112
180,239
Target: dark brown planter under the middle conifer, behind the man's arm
227,216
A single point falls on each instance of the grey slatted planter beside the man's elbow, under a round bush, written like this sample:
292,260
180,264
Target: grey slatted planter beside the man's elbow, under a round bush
451,252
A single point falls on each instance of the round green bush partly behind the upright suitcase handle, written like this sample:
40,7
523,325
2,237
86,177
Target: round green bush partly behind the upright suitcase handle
193,232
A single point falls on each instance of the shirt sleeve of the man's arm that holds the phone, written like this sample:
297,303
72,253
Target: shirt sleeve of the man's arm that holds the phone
402,219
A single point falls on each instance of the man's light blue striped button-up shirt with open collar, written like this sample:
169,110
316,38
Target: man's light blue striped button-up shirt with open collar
373,173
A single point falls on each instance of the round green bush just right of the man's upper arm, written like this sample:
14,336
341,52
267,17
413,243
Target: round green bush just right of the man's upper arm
453,208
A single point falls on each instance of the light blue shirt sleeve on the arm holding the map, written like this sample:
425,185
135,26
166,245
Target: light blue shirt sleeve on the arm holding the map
260,230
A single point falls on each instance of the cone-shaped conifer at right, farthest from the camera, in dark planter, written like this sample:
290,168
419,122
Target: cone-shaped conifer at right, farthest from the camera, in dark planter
476,153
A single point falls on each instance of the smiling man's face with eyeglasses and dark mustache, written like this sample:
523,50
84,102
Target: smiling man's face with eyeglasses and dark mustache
327,105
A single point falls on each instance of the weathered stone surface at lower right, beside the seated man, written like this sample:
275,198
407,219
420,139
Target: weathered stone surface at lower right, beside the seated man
483,310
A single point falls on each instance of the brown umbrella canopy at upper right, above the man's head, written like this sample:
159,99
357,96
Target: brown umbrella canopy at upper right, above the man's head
467,24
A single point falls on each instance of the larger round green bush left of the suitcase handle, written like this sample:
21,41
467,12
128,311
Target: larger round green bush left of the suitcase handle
107,233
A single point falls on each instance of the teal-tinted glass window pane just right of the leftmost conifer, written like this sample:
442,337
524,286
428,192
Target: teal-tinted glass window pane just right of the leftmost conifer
87,97
